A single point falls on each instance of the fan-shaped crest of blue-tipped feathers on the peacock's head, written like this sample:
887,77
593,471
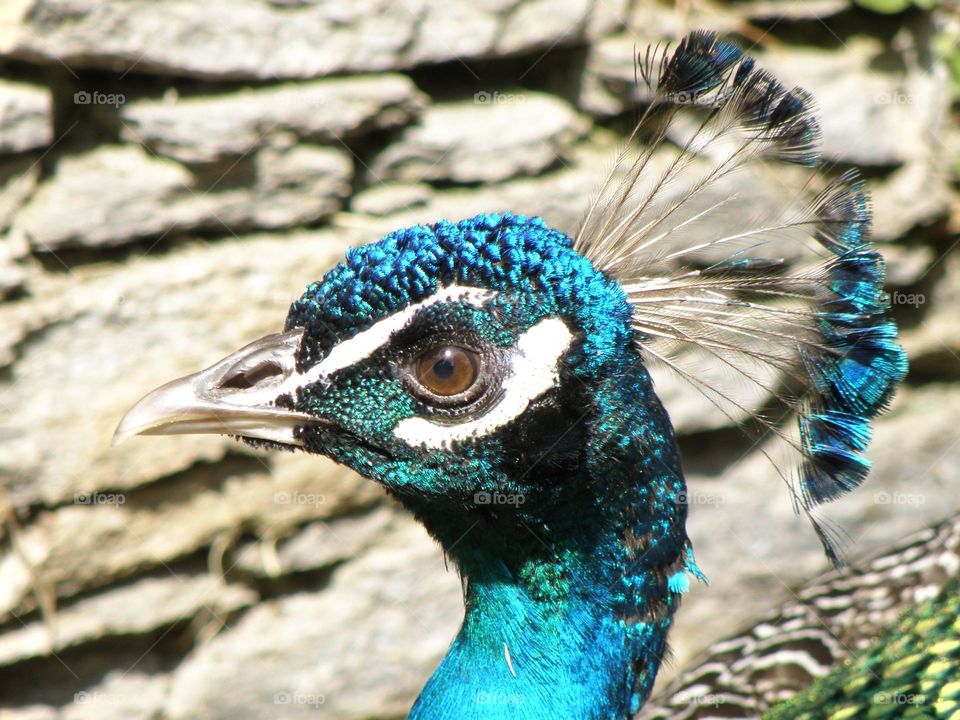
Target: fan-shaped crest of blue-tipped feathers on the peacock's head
811,332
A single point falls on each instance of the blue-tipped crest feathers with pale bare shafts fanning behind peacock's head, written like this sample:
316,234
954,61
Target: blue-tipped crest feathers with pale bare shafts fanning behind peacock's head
838,345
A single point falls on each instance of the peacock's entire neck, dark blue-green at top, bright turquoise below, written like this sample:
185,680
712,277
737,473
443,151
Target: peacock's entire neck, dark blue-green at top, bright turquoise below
568,617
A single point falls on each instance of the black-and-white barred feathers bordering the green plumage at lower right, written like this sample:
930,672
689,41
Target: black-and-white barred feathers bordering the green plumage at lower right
830,621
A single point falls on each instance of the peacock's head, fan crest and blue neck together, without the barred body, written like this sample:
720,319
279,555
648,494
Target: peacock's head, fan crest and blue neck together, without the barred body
494,375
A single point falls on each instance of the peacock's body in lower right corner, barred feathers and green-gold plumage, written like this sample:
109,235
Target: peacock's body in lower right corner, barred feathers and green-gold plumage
880,639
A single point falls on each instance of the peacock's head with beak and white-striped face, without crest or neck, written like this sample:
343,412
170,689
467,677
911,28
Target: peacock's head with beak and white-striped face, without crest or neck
455,364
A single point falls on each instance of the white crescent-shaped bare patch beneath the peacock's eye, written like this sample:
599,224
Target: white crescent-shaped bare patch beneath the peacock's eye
533,371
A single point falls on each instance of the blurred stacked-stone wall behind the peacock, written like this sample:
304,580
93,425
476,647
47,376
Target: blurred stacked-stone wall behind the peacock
173,174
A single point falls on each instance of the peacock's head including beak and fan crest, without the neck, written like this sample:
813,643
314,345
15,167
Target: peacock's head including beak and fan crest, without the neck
449,361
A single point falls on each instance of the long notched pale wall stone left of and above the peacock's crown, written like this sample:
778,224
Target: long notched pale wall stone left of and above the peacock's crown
140,196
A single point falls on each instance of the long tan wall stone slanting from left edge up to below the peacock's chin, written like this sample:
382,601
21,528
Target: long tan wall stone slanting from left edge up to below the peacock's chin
109,535
